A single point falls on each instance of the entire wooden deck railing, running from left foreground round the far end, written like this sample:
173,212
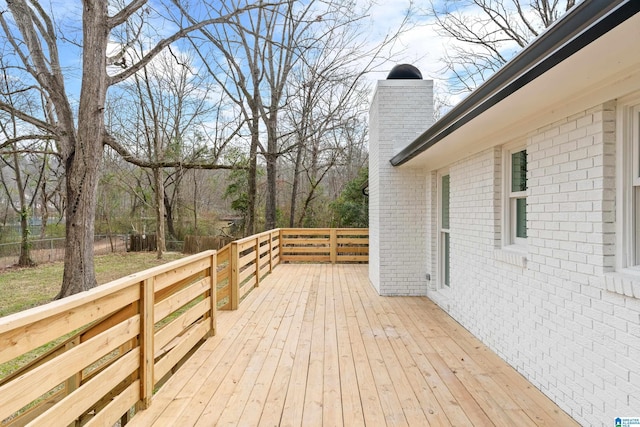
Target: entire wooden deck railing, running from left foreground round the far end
113,345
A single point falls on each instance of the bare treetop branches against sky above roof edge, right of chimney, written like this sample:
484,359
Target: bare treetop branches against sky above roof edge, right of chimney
487,33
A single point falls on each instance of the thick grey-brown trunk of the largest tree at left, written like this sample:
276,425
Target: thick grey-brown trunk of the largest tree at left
82,152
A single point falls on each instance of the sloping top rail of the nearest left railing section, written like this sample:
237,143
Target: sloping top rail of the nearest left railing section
53,308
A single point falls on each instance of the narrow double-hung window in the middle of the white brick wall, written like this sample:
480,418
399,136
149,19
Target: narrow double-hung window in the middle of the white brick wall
515,201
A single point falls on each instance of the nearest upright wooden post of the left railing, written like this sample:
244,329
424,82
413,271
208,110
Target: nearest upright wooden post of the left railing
146,342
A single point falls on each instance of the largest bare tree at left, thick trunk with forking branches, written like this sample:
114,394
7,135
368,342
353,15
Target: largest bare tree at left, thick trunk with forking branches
35,40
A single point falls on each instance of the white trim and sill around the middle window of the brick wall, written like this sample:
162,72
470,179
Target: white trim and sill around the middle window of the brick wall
509,240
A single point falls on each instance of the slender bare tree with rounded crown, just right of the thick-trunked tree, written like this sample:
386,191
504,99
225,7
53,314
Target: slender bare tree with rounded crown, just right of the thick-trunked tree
171,103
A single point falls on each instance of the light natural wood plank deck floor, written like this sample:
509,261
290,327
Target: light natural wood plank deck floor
315,345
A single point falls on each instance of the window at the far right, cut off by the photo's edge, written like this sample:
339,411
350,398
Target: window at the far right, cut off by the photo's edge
628,151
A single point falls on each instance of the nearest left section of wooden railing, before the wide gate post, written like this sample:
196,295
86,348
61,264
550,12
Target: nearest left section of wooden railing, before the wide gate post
133,332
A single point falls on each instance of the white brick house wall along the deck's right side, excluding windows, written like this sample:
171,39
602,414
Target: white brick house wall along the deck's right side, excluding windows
552,317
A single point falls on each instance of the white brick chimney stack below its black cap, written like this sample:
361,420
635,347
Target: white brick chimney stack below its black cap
401,110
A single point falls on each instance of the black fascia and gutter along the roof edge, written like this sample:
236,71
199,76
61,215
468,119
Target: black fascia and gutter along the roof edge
582,25
